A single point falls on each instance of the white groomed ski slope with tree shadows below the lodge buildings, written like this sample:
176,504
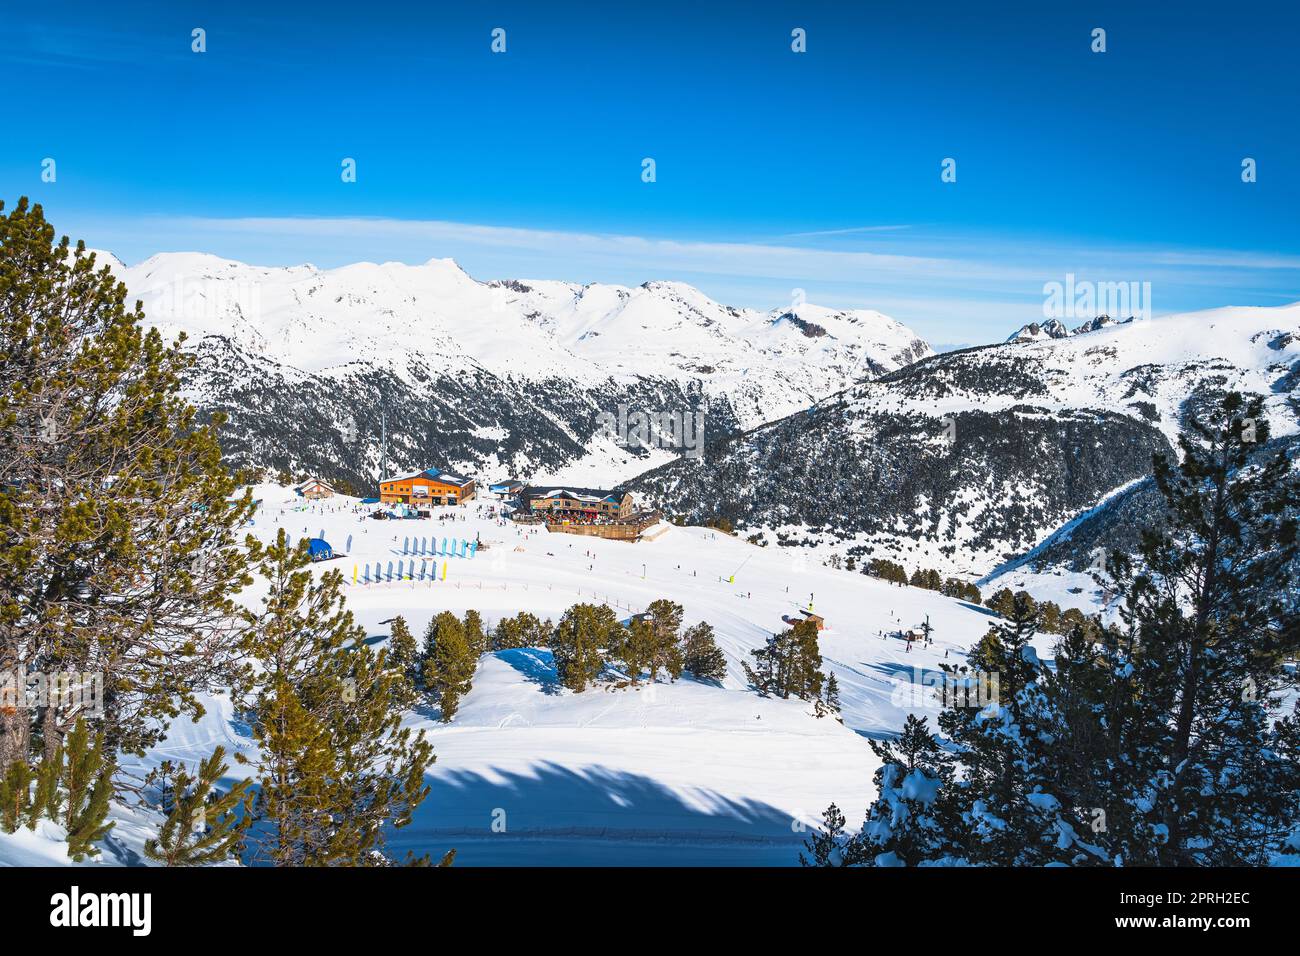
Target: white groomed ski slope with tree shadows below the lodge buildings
682,773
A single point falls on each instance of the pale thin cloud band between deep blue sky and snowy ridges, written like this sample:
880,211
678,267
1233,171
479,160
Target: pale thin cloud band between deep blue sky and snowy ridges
951,288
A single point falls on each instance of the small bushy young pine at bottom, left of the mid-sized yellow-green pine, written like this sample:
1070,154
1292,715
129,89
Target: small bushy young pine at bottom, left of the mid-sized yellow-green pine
202,828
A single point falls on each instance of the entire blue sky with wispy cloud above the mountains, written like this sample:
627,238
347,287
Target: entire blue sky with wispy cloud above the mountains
775,171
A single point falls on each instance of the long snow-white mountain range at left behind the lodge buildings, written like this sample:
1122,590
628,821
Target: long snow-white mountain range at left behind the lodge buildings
496,378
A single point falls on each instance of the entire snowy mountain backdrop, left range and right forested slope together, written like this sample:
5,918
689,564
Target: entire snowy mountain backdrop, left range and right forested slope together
838,429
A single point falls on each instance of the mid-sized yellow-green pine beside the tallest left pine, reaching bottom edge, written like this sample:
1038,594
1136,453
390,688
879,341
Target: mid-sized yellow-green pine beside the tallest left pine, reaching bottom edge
335,768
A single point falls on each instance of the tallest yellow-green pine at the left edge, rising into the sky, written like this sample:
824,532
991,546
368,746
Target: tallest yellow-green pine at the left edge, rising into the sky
118,520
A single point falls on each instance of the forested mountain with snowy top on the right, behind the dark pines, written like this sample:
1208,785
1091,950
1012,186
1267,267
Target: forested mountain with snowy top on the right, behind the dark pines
969,460
